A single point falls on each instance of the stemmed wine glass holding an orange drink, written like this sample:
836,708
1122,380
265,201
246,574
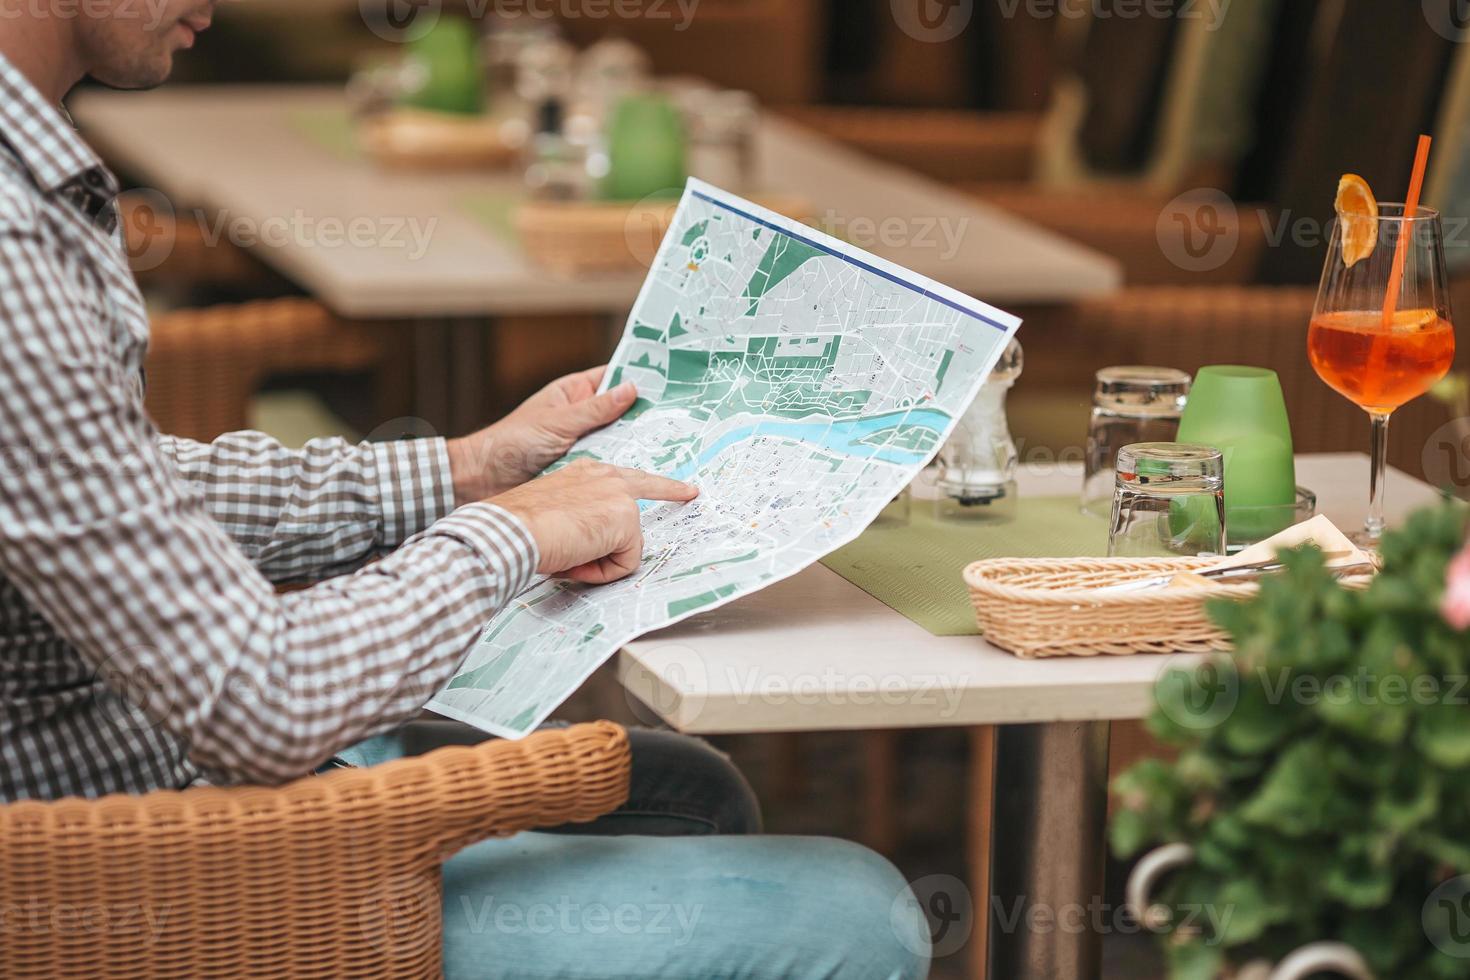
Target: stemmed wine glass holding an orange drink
1381,364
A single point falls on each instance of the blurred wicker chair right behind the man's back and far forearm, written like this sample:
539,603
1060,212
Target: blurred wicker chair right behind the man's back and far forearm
207,365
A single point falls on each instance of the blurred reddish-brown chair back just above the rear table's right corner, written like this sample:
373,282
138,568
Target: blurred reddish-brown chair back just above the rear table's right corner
1133,227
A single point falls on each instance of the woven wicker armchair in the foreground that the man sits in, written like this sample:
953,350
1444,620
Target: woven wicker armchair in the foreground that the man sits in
330,876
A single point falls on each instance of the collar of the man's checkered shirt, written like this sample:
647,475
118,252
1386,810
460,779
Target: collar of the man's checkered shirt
42,134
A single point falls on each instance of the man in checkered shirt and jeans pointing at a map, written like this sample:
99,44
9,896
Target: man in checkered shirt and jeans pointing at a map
143,644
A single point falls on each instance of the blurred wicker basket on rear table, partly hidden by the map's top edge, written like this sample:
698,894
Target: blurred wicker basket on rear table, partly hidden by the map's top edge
576,239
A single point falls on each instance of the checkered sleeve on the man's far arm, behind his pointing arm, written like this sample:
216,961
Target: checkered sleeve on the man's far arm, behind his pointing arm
318,511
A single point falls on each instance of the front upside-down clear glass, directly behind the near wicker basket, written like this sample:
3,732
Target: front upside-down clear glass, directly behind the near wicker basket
1169,502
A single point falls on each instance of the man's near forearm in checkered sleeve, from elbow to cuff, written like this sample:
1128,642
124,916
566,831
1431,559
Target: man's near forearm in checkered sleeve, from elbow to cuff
348,659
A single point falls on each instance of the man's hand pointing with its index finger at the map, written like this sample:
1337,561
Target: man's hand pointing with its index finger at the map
584,518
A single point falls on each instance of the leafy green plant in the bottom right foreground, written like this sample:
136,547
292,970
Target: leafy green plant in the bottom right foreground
1322,788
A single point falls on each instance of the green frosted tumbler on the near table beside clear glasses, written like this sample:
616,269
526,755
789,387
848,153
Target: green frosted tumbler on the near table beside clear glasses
1243,414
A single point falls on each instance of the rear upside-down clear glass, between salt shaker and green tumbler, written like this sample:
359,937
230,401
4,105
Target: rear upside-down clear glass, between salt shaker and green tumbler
1130,405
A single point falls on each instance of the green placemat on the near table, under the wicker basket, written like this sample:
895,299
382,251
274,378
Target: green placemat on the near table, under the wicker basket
917,568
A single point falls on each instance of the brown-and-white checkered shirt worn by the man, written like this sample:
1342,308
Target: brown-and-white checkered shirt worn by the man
142,641
